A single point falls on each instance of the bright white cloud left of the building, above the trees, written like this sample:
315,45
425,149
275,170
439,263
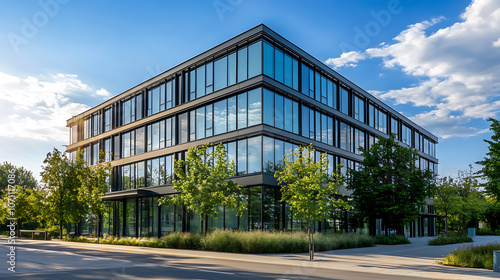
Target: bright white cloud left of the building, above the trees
37,108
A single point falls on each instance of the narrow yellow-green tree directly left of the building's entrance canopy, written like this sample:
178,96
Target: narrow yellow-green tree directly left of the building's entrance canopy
94,180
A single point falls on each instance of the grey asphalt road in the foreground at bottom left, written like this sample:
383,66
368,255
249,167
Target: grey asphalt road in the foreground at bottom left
45,260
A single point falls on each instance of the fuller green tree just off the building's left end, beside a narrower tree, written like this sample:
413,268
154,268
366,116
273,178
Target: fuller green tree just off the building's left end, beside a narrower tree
61,189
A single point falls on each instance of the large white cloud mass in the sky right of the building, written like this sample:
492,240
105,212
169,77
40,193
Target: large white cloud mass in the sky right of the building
458,67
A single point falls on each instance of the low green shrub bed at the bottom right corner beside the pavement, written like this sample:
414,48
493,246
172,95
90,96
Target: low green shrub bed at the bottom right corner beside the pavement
472,256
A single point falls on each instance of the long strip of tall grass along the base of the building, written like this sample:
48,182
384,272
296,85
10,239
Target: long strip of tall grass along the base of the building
257,242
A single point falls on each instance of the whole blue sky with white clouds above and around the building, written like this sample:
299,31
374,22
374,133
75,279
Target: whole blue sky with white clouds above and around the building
437,62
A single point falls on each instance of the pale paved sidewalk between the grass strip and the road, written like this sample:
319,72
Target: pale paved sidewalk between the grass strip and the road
416,259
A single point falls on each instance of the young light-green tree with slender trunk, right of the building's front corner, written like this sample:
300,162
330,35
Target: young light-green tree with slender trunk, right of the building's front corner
307,187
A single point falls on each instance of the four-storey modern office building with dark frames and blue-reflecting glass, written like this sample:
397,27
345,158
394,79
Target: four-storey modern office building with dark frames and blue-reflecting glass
259,95
